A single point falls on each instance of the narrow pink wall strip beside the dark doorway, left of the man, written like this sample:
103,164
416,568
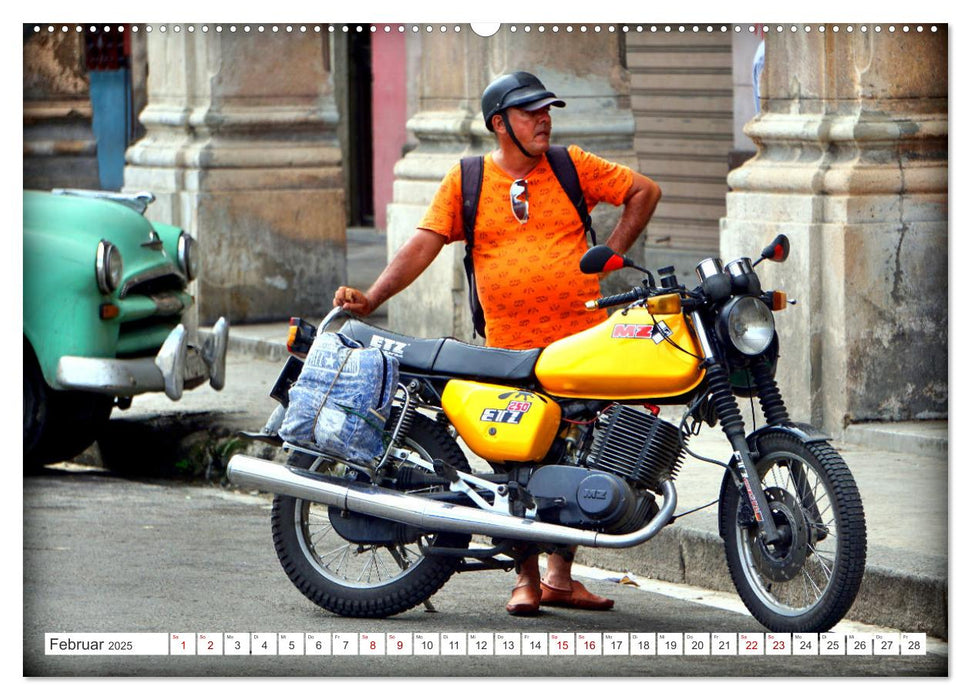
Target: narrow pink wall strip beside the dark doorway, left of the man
389,114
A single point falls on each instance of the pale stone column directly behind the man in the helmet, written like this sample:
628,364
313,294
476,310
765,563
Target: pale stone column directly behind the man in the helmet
586,70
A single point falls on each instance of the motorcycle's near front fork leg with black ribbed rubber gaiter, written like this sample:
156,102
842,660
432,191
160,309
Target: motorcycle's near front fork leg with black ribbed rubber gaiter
726,408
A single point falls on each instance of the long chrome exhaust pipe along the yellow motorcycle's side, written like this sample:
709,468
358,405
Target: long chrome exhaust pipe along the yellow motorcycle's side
426,514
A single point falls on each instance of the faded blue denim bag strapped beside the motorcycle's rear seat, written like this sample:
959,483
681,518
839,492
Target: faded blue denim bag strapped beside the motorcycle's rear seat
342,399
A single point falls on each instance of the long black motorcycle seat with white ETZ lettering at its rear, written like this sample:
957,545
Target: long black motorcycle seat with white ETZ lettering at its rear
446,356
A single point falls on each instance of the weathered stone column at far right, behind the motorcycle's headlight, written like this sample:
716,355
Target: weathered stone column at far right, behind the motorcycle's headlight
852,165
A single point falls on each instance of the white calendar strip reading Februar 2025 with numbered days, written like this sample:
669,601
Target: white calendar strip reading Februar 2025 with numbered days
483,644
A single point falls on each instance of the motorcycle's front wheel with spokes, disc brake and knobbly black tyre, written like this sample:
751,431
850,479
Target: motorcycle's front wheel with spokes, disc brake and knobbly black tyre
807,581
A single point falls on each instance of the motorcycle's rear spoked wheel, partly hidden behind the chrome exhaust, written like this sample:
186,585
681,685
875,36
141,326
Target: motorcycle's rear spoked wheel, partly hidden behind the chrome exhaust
357,566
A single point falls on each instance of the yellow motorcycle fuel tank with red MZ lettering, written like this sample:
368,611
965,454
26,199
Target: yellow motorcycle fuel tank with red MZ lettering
625,357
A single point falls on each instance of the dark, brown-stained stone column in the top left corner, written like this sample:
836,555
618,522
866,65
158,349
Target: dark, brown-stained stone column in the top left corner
59,145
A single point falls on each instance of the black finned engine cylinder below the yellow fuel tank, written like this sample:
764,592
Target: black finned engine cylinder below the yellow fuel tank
636,446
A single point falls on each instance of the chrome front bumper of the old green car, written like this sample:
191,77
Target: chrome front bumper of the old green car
177,366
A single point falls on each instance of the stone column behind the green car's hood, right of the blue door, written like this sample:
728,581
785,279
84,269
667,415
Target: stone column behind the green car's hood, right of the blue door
241,150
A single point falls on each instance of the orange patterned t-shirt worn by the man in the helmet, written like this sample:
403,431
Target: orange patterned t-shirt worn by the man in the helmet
528,274
